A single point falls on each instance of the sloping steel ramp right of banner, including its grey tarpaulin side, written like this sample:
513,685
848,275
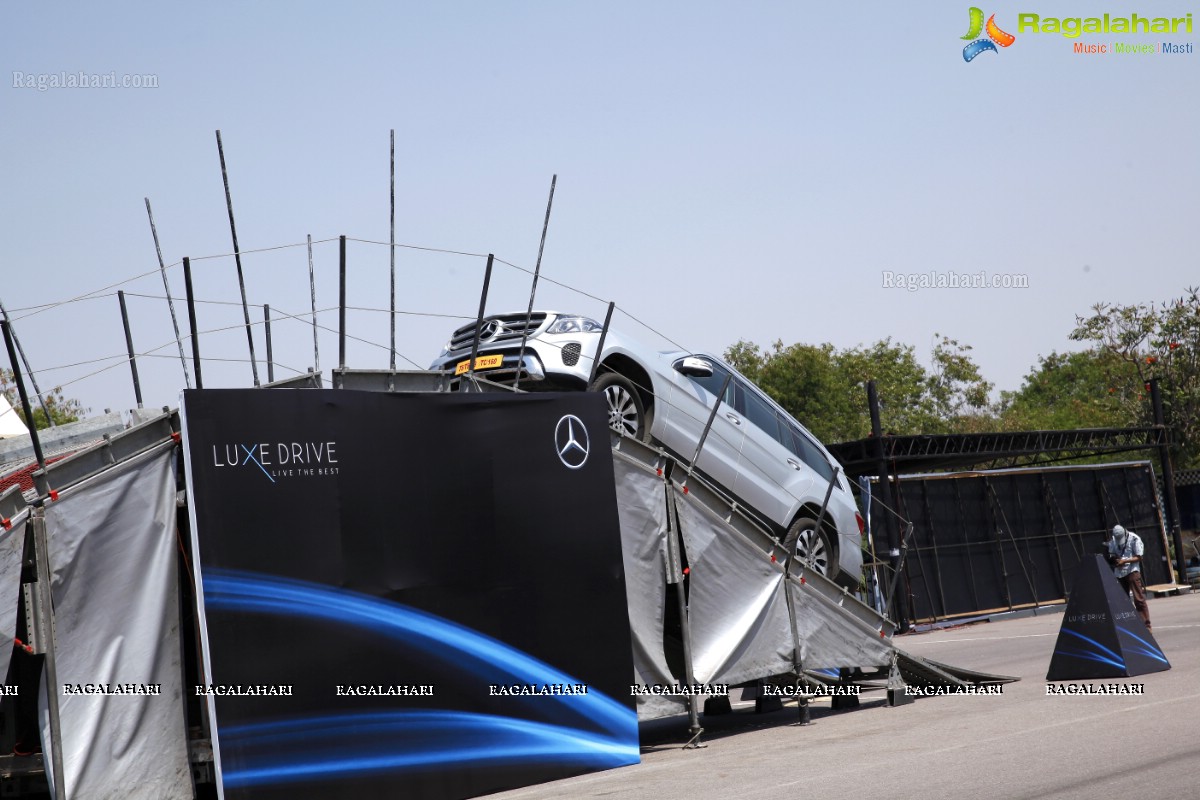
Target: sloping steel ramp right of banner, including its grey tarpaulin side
751,613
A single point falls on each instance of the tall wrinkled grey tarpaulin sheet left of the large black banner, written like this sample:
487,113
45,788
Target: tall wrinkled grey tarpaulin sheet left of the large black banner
115,581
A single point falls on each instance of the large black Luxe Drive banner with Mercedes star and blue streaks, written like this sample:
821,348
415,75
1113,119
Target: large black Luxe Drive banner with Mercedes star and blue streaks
409,596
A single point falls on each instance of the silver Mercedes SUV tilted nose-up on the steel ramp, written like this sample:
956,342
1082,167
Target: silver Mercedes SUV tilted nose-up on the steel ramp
755,452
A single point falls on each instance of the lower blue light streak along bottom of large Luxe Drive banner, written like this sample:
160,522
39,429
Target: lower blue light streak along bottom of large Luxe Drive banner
334,747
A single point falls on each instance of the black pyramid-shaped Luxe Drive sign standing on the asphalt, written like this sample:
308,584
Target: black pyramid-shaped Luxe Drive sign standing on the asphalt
1102,636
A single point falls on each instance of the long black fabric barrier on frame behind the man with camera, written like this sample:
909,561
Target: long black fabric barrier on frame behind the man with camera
1009,539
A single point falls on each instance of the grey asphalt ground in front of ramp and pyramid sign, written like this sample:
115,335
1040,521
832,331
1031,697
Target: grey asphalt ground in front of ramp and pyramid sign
1022,744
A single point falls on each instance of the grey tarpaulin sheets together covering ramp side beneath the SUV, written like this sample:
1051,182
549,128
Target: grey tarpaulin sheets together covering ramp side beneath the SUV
740,603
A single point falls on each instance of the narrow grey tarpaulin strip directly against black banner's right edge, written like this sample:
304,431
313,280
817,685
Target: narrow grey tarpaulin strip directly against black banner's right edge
641,506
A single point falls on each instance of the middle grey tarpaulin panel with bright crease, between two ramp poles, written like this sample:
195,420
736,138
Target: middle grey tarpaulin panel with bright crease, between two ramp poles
737,609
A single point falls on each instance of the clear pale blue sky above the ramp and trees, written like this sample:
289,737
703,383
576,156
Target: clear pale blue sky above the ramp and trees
725,172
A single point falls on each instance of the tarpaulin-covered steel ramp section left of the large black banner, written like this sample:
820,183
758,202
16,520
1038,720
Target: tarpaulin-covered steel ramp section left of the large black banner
98,585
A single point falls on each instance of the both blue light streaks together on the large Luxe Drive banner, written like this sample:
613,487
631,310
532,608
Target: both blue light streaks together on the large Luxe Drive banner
409,741
